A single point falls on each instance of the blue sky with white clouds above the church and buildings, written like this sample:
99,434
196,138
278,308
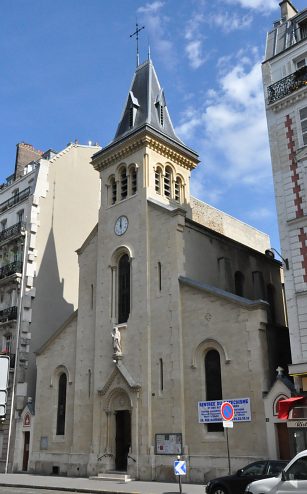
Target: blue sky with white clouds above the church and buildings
66,68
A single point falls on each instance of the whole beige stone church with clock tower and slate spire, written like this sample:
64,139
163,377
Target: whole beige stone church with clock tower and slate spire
179,309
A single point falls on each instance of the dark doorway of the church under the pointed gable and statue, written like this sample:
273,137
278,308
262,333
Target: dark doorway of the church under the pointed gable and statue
123,439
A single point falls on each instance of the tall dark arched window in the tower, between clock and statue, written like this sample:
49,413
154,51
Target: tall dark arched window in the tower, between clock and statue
123,288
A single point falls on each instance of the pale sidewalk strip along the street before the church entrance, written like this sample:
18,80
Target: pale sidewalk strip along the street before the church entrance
84,485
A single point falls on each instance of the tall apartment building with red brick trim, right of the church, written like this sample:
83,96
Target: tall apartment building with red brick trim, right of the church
285,87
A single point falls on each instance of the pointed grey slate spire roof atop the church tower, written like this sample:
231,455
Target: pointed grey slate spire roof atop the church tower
146,105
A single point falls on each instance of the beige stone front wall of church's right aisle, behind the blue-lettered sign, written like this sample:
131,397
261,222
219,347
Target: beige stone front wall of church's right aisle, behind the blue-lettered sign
210,322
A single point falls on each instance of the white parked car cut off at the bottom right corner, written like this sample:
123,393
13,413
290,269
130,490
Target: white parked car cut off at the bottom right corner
292,479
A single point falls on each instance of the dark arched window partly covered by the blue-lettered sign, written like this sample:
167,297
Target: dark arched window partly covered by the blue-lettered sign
213,383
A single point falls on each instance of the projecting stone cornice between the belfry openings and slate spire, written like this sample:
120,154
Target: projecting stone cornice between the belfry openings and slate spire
120,151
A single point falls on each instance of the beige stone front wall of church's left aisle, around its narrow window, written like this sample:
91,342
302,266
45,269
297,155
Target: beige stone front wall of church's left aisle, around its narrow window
50,450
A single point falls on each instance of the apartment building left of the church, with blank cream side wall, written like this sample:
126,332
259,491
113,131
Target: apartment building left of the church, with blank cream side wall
47,206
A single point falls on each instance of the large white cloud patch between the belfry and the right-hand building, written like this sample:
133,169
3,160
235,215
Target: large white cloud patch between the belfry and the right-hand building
231,126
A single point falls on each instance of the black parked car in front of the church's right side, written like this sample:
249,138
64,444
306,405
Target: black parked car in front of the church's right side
236,483
